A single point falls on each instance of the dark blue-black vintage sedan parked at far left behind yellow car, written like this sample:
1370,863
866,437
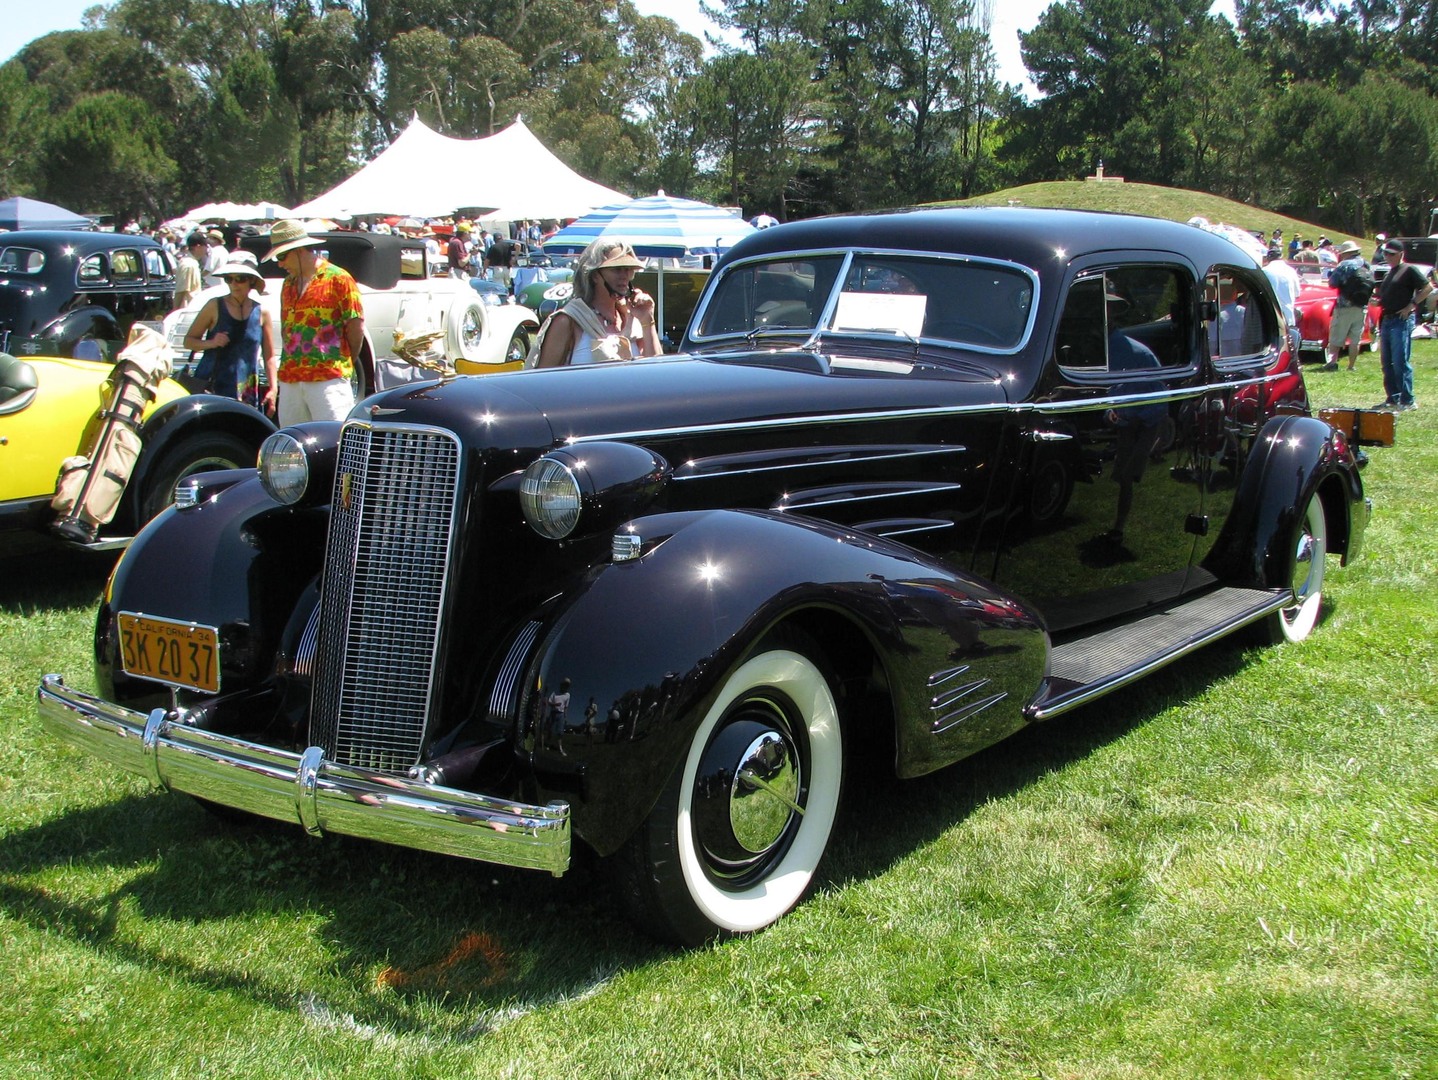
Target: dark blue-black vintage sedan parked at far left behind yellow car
77,294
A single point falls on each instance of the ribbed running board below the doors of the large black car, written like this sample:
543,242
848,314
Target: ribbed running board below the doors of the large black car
1092,667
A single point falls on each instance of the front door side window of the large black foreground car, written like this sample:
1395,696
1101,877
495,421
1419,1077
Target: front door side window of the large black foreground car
1125,319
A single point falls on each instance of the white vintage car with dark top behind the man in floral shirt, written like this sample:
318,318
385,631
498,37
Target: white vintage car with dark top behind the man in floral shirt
470,330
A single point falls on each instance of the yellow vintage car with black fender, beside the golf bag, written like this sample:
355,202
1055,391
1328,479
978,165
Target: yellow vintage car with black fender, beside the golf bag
51,411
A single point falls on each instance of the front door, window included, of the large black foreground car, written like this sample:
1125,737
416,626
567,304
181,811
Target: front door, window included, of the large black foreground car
1104,516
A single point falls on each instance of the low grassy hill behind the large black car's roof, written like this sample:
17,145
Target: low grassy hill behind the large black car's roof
1174,203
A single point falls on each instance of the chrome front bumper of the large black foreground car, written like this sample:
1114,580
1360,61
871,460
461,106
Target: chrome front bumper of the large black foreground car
307,790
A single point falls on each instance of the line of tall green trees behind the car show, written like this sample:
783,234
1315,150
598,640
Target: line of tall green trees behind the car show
1319,109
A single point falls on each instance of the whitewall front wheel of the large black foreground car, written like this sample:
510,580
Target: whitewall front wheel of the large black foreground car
740,830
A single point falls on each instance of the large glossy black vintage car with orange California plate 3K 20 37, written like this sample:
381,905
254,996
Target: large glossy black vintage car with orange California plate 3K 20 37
921,480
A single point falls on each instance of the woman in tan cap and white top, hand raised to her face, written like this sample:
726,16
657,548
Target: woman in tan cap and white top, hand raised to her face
608,319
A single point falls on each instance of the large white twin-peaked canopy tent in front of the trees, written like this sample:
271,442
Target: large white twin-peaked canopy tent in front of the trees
428,175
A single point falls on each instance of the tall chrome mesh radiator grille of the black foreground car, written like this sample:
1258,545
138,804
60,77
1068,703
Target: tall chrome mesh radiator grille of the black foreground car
383,593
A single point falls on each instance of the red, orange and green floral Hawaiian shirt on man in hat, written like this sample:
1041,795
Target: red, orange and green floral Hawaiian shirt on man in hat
313,327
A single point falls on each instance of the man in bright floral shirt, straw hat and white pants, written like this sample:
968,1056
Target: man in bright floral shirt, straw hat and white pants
321,331
